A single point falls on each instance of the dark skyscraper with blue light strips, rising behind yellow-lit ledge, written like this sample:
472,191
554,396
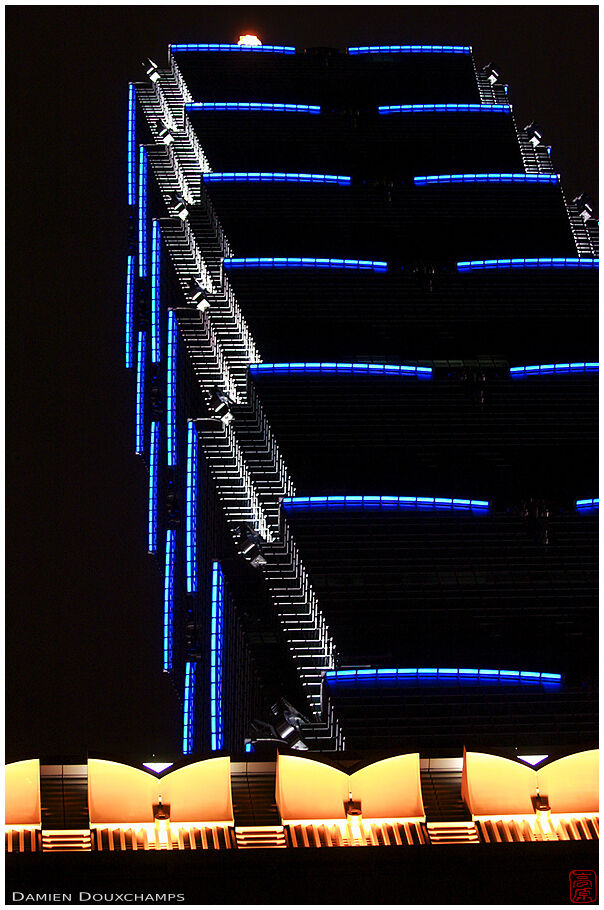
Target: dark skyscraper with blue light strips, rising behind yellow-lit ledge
361,331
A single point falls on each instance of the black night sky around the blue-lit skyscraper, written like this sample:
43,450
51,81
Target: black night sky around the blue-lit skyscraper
83,637
